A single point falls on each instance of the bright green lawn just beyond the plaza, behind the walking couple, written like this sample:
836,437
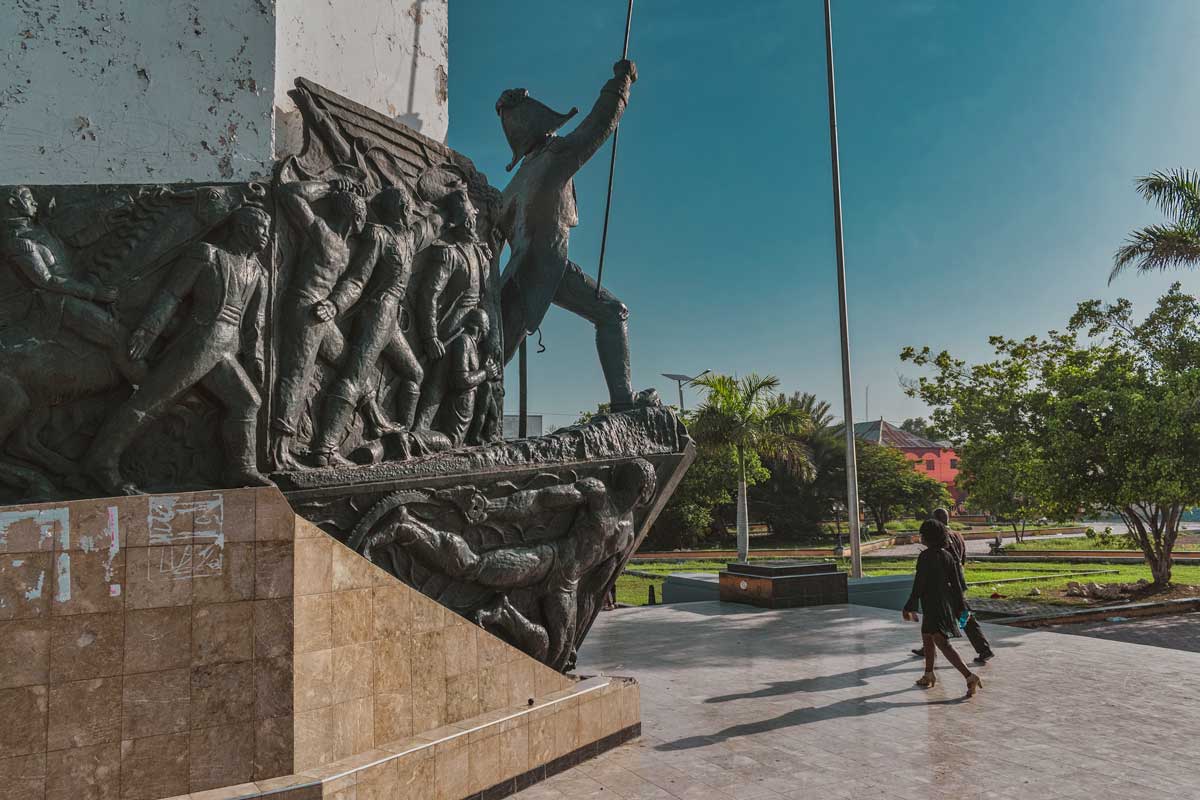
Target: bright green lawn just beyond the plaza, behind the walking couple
1049,578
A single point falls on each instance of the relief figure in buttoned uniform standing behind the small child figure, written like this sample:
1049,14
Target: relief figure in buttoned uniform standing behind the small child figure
455,284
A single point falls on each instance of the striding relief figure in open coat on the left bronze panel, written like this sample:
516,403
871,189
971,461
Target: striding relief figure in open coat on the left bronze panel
227,288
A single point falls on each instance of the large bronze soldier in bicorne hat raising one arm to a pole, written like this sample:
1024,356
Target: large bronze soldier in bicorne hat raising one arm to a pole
537,215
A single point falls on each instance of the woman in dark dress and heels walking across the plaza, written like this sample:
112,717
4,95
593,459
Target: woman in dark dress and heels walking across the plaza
938,590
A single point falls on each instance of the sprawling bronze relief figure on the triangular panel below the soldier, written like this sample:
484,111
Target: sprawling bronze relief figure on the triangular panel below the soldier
603,530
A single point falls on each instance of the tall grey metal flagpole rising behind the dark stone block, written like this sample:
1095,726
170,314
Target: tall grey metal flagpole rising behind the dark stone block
848,395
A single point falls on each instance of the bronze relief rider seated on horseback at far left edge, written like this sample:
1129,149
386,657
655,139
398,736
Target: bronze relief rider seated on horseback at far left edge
52,294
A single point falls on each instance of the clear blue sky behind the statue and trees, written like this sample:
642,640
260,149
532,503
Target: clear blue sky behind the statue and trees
988,152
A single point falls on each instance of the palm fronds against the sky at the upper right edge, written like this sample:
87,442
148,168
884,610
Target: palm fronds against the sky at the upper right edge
1174,245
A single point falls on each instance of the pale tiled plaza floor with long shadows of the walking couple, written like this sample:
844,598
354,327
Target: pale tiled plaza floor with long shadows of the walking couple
747,705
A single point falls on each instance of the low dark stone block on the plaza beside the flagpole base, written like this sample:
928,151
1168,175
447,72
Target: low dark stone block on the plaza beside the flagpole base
784,585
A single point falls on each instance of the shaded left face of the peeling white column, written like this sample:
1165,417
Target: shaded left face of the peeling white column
125,92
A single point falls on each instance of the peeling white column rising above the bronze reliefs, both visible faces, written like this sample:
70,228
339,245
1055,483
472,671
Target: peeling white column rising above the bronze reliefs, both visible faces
117,92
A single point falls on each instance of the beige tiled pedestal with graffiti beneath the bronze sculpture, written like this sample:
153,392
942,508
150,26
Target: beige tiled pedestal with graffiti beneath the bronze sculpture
215,646
